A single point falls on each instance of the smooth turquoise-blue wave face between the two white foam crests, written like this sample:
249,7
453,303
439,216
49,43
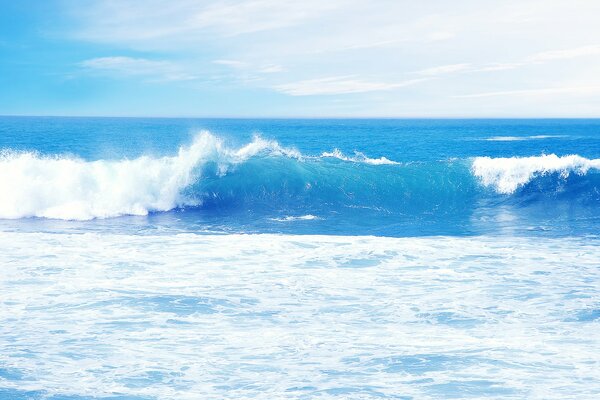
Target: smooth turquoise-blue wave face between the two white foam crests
280,185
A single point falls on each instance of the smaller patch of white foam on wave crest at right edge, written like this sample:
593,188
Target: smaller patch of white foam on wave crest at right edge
506,175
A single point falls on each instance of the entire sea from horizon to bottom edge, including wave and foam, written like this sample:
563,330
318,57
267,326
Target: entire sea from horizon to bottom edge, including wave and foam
148,258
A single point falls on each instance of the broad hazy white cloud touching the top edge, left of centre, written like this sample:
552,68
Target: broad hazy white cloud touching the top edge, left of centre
189,21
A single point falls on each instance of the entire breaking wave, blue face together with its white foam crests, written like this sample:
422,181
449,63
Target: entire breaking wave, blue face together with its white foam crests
267,179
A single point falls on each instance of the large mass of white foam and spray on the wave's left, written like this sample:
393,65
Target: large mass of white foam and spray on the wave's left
71,188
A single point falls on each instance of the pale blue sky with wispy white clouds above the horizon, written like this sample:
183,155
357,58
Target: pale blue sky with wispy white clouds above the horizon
310,58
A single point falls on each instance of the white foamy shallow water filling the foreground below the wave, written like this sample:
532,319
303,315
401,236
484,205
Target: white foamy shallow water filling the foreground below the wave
275,316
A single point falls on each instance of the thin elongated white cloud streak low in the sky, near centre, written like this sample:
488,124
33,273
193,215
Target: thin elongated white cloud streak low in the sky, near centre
339,85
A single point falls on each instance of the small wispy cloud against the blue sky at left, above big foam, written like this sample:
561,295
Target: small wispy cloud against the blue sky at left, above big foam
128,66
